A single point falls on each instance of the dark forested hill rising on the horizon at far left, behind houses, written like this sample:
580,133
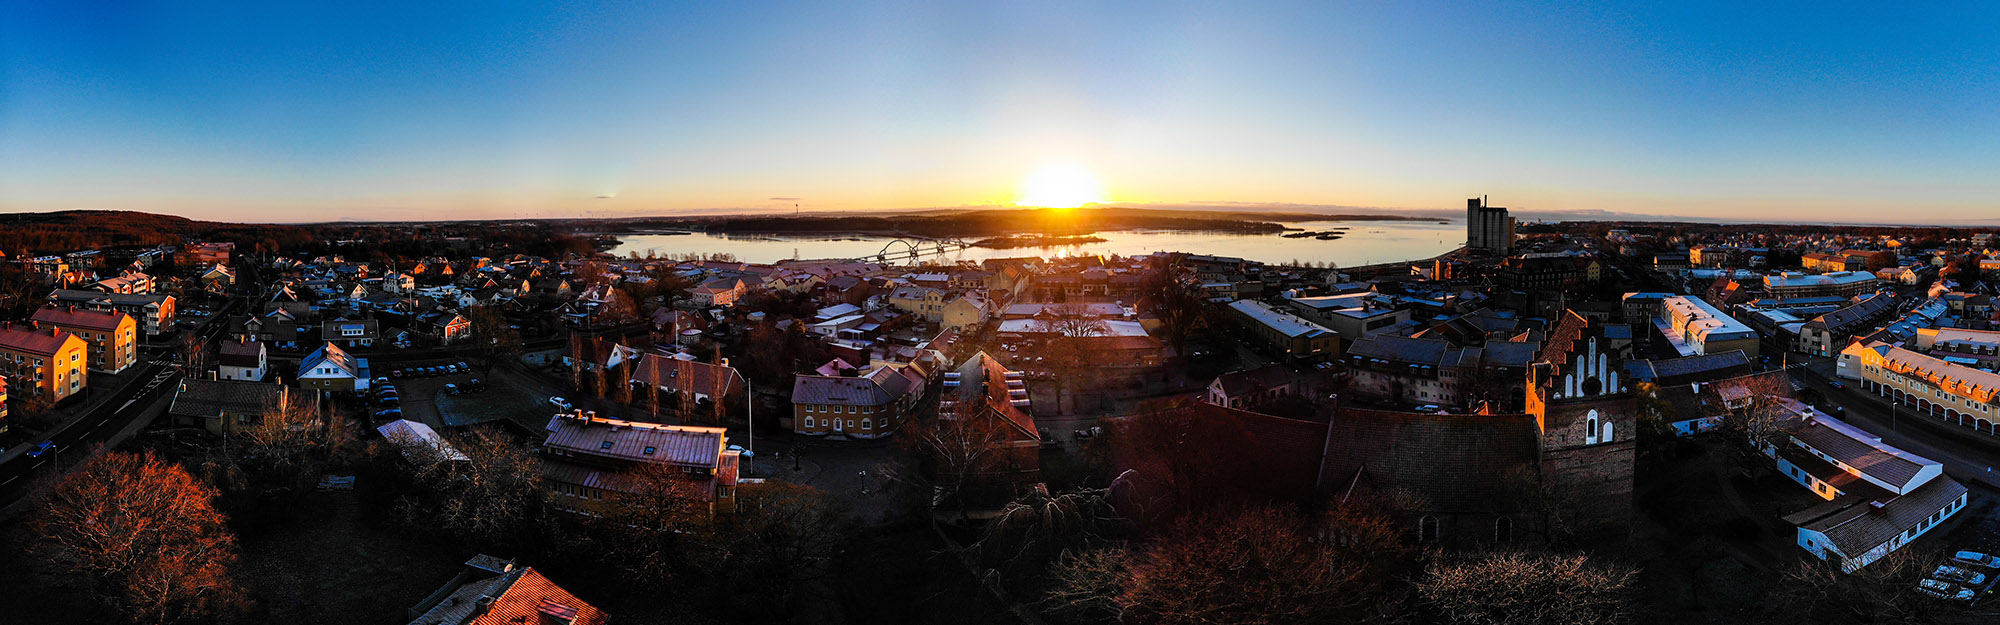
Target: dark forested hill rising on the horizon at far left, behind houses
63,231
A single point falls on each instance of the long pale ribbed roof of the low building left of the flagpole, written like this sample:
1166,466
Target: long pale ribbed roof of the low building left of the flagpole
681,446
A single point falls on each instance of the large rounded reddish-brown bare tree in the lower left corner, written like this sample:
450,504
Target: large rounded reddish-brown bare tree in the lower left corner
143,532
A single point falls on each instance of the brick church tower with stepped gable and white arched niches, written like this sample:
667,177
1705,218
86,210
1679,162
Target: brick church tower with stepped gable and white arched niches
1589,422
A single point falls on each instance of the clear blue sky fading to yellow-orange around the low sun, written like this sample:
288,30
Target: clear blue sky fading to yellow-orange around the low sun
391,111
